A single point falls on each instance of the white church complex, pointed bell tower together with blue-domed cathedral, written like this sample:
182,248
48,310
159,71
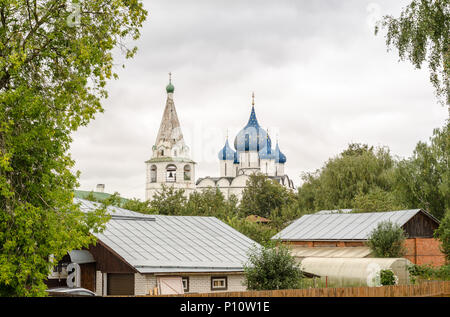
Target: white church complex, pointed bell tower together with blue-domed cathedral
253,152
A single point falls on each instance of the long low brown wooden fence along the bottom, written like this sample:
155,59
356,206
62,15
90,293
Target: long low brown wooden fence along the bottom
435,288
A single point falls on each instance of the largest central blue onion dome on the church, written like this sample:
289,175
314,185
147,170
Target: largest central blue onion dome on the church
252,137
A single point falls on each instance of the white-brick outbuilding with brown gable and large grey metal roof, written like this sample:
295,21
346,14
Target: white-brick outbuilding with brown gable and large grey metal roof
140,254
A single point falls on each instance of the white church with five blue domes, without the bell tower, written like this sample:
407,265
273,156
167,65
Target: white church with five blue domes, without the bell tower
253,153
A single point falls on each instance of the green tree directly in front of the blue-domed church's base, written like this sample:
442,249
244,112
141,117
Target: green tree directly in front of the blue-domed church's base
262,195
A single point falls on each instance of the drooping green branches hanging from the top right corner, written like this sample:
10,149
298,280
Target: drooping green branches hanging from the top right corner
422,33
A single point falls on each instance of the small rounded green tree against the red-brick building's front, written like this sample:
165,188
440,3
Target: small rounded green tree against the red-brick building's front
386,240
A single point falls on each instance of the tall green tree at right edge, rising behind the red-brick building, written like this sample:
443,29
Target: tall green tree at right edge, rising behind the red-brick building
423,180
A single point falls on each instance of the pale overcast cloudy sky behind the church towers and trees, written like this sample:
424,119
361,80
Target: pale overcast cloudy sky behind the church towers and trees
321,79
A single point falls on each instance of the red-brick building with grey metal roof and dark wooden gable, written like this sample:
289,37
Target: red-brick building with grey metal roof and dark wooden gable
344,234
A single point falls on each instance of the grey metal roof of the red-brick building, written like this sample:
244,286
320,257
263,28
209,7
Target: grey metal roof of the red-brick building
341,226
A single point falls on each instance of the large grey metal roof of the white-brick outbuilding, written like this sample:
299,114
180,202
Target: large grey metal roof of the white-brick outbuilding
157,243
